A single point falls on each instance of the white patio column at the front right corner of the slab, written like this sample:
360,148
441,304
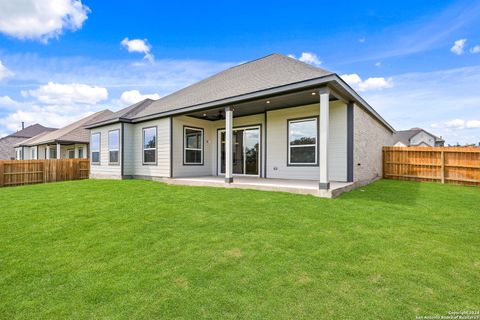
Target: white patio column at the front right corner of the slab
323,138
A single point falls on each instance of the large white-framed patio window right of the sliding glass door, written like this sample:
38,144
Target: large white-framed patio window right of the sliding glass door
302,142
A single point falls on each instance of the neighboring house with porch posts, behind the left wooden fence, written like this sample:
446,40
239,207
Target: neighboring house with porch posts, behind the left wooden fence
68,142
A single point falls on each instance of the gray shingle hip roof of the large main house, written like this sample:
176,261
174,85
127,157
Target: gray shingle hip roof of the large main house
264,76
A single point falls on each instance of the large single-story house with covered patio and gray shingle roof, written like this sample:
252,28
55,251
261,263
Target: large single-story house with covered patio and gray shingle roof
271,122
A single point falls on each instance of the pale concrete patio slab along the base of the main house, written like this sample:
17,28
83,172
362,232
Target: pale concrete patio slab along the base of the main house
284,185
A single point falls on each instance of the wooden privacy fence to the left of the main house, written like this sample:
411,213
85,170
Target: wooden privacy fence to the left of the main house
20,172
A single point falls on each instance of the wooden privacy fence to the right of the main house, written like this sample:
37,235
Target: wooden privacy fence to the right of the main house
439,164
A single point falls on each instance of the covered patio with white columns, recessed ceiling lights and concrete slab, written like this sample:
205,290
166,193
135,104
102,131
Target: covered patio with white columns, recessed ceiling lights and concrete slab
251,144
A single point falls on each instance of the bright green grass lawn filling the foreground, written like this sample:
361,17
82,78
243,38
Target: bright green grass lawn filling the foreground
141,249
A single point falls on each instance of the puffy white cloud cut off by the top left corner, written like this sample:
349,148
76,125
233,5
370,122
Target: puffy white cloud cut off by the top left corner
41,19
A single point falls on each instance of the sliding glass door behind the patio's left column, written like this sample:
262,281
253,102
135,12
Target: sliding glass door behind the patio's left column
246,151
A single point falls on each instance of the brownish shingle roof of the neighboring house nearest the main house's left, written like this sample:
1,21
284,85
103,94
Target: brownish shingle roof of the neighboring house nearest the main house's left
73,133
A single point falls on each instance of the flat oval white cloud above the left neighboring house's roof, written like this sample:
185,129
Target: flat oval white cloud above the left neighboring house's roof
66,94
